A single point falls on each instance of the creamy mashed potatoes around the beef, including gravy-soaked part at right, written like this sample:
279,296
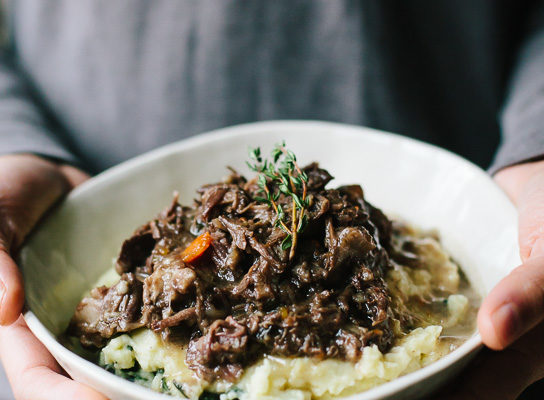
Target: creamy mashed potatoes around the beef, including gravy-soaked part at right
143,357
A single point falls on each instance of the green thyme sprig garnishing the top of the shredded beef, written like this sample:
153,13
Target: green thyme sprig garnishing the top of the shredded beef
282,175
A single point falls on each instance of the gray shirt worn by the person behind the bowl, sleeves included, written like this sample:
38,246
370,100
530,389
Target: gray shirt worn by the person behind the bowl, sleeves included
94,82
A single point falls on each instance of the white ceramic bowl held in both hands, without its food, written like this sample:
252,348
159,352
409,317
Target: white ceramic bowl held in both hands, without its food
418,182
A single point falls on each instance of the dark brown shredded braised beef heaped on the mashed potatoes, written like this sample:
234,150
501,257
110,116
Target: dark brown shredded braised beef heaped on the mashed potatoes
243,297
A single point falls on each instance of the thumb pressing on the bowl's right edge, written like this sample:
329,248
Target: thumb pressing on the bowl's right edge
514,306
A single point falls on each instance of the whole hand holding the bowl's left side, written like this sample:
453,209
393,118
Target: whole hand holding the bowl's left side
29,186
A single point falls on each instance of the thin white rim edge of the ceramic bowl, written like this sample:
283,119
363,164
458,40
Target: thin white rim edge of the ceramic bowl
469,347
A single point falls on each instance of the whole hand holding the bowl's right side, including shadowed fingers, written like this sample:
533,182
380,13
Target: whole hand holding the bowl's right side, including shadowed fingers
511,317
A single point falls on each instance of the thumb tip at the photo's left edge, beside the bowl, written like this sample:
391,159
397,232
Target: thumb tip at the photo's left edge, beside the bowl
11,289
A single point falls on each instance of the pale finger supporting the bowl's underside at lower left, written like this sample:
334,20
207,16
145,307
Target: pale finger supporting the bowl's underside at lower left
33,373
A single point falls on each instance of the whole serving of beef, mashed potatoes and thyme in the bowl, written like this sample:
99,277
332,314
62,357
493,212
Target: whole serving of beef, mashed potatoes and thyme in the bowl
275,287
